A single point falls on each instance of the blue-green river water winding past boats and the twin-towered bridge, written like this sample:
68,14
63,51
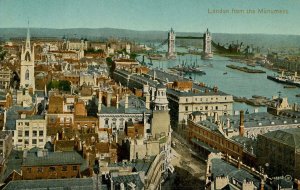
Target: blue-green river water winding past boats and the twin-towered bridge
235,82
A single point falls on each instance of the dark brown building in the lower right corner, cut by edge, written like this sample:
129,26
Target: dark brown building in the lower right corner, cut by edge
279,152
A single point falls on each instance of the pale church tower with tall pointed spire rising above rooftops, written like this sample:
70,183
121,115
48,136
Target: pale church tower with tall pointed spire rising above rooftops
27,65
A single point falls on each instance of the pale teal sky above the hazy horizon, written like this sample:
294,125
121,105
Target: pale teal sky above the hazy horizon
182,15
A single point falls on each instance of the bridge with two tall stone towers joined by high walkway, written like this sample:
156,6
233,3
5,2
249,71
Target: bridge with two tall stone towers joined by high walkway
207,42
